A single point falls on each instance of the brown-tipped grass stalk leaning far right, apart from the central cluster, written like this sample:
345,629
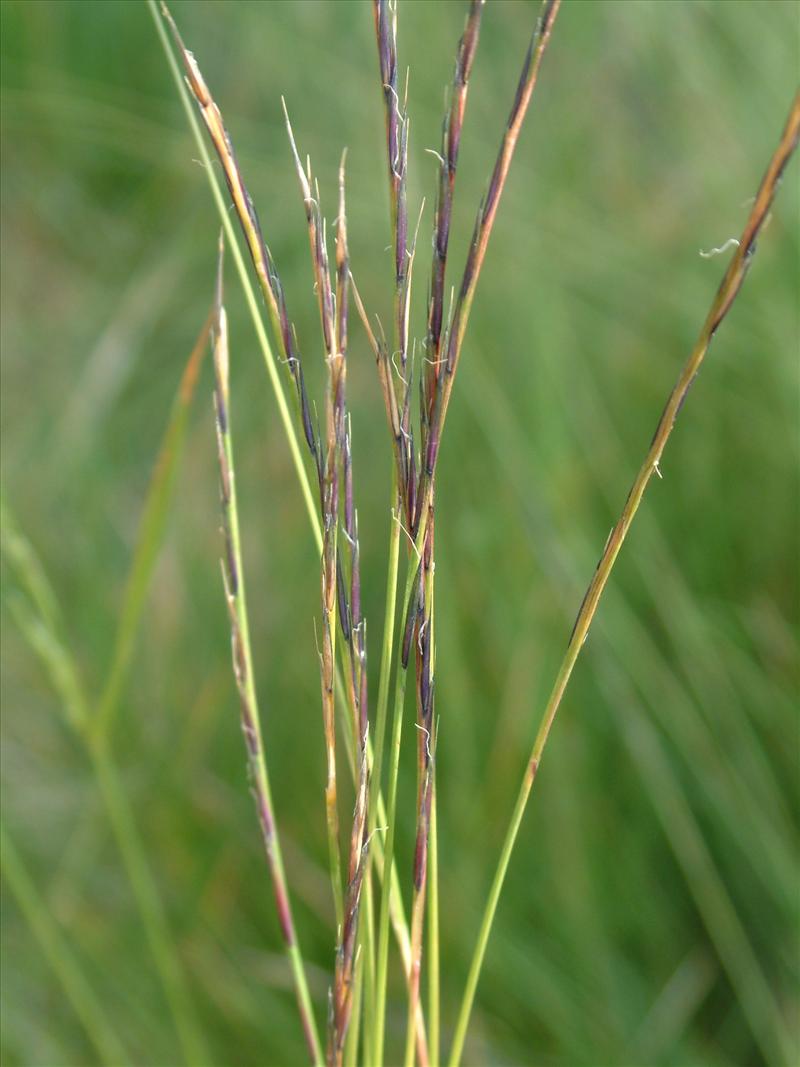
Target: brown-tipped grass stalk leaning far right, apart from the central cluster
726,296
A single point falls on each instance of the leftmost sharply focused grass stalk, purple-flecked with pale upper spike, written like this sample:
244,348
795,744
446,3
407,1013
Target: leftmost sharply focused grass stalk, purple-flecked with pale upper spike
243,657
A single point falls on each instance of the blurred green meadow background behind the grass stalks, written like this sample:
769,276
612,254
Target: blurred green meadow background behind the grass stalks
651,911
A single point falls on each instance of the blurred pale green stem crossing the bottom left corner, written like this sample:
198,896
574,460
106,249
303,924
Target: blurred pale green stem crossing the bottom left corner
60,958
